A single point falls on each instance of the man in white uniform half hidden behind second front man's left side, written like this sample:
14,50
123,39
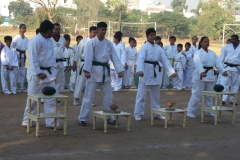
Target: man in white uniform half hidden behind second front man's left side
80,56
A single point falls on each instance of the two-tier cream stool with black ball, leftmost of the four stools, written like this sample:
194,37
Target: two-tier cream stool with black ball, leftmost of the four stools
38,115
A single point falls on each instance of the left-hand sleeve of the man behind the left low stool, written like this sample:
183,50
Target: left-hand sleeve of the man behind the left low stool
88,57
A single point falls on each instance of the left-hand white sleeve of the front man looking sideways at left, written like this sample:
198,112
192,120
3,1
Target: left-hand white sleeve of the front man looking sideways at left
33,49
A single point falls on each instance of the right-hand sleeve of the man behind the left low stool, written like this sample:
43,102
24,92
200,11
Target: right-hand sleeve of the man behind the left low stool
116,61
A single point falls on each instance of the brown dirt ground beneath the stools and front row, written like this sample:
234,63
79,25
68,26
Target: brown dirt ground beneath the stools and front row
196,141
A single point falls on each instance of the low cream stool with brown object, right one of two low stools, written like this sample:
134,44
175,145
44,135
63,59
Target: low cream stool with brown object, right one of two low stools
168,115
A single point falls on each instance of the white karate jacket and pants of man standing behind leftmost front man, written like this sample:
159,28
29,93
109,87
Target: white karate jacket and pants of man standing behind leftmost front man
59,48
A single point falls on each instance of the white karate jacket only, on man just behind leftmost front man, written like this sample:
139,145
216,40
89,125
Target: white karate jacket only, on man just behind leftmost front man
59,48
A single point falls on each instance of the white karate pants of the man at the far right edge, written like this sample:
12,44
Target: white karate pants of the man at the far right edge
231,81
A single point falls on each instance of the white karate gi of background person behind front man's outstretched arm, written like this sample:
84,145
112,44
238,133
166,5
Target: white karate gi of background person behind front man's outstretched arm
115,81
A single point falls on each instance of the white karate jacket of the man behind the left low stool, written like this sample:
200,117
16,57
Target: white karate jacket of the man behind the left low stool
100,51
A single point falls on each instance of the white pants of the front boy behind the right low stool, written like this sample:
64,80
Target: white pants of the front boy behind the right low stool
141,98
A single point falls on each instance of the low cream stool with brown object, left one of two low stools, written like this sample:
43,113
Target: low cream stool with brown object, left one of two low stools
105,115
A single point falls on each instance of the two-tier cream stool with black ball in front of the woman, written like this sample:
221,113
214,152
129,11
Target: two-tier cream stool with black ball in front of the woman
218,108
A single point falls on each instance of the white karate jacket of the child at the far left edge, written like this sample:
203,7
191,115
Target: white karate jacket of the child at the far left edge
8,57
